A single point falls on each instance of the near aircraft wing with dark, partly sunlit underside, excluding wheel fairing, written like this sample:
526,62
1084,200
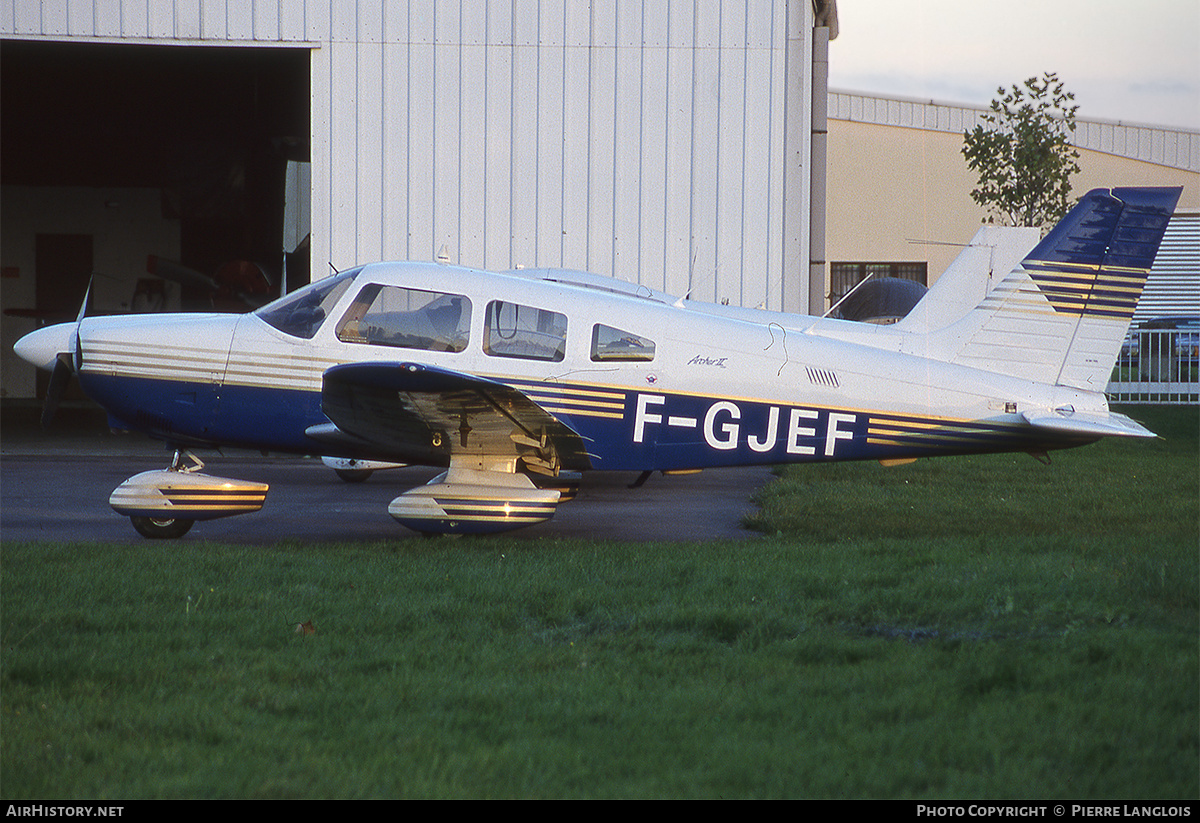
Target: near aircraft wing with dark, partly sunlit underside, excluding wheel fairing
416,413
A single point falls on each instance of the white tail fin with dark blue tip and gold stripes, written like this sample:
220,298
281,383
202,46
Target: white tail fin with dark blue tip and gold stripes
1061,315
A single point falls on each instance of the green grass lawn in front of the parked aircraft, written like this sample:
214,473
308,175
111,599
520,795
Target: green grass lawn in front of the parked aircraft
963,628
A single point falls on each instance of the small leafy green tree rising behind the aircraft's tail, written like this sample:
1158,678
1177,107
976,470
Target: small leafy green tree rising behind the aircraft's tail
1024,158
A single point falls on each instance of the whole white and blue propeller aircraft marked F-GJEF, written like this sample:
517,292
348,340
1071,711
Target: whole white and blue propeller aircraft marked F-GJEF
518,382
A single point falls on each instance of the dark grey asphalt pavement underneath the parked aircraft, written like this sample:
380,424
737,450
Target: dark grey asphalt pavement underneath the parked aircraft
55,486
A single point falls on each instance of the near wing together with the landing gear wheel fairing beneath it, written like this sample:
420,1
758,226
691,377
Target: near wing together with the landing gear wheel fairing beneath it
493,437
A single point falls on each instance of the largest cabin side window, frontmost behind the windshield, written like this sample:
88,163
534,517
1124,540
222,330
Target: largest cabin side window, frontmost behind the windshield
407,320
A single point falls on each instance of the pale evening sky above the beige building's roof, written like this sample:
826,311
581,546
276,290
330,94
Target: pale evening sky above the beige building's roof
1127,62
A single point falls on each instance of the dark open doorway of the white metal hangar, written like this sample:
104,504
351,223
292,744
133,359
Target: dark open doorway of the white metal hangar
173,160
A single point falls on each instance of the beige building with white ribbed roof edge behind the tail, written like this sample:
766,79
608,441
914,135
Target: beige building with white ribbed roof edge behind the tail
901,190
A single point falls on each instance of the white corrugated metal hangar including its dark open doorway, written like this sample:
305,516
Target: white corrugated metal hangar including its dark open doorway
670,145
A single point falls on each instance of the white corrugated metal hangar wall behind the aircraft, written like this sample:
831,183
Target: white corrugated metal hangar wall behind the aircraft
663,143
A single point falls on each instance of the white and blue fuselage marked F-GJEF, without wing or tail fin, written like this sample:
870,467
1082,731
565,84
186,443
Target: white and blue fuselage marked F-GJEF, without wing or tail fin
703,391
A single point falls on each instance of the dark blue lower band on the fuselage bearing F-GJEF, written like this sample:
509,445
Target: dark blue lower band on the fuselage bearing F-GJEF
656,431
